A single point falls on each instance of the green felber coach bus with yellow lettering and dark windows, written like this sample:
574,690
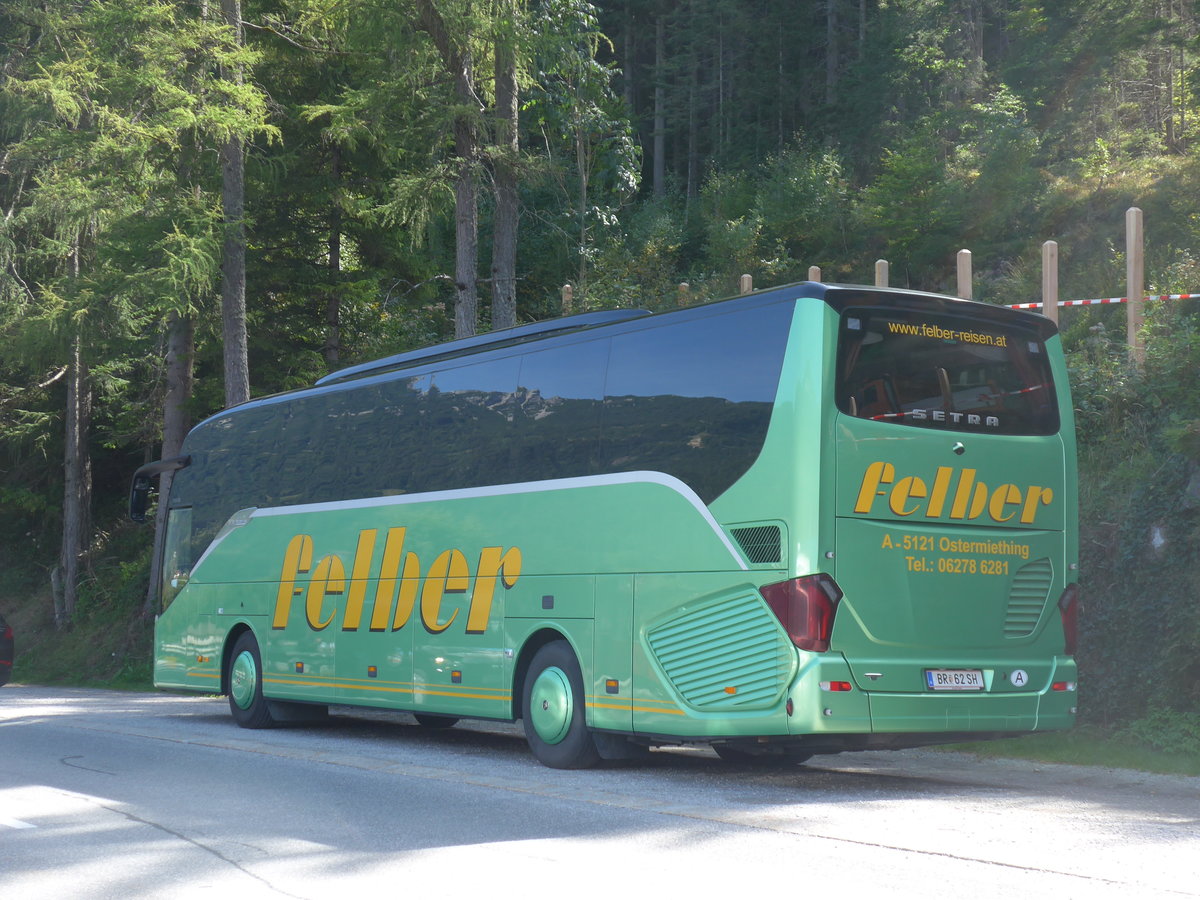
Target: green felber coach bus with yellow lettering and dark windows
807,520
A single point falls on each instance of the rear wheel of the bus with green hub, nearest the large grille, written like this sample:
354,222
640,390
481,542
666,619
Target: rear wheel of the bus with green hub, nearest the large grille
554,710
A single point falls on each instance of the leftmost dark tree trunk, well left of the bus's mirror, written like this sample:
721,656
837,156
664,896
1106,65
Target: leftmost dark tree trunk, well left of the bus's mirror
77,488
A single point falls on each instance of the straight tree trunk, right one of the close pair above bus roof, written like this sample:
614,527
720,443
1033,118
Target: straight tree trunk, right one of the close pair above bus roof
505,236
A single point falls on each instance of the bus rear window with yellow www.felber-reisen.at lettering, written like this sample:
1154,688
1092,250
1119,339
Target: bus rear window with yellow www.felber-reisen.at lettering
949,373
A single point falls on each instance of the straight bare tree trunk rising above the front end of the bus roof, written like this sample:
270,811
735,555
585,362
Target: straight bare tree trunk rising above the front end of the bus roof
233,267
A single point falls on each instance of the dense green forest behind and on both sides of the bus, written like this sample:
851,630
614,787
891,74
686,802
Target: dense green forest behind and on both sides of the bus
211,200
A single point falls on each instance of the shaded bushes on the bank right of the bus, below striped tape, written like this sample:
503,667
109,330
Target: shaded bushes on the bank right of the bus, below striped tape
1138,431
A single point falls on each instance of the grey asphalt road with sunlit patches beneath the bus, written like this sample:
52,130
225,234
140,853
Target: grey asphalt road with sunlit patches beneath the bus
110,795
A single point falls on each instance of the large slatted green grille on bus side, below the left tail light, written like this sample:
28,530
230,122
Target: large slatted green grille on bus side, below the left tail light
731,655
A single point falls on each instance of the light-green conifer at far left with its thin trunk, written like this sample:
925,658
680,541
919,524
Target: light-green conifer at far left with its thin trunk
110,200
